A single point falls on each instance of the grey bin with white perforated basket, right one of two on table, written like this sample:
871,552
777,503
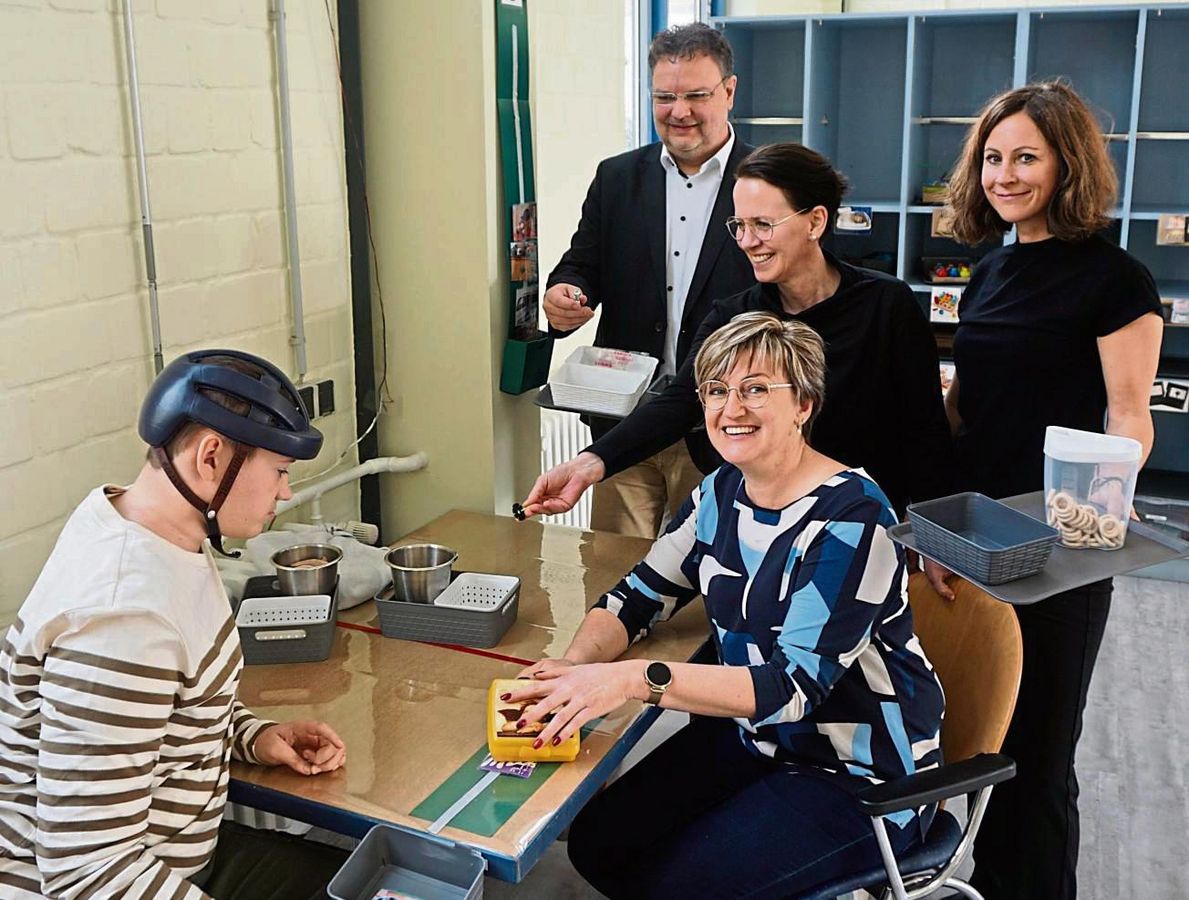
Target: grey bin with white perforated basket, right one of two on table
486,609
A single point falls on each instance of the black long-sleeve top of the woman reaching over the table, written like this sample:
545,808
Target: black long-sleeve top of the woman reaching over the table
883,408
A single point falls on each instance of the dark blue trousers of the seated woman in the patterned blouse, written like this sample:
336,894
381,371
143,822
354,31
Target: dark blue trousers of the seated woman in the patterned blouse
702,817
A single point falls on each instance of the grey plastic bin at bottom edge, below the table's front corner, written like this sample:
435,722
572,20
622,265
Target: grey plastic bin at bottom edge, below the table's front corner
423,866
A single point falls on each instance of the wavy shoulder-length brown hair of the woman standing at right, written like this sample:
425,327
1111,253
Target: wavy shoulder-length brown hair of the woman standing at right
1087,185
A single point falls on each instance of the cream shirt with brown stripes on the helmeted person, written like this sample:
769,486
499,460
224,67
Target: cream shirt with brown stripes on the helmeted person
118,716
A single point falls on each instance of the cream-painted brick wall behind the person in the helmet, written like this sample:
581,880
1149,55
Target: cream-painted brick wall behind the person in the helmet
76,347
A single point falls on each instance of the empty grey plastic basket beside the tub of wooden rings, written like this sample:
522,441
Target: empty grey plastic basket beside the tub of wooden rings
982,538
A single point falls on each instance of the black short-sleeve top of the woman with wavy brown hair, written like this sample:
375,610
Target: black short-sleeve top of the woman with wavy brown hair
1027,353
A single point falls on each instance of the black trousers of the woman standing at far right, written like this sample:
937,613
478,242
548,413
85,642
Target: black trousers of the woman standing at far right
1028,846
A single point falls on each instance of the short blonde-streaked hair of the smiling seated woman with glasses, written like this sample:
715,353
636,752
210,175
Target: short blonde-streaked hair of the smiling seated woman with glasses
790,347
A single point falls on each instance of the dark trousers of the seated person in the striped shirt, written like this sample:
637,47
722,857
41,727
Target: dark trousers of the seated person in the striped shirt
257,865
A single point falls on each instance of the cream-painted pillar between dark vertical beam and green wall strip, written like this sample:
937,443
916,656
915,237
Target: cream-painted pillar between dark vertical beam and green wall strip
430,115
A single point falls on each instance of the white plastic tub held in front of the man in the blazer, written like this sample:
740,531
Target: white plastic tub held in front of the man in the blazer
597,380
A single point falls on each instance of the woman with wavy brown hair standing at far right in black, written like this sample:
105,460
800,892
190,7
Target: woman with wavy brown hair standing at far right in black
1059,329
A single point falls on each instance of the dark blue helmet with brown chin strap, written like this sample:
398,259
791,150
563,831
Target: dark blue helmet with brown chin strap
275,420
